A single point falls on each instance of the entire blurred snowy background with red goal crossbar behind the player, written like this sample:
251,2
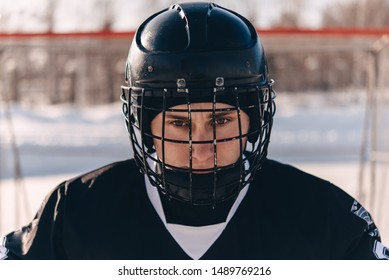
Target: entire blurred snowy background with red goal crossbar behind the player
62,64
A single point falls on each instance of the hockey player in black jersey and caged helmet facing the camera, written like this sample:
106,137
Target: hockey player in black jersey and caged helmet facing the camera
198,106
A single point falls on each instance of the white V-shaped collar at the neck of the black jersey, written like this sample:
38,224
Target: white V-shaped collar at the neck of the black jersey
195,241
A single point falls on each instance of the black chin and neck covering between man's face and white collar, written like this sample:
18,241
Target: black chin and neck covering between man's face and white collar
193,201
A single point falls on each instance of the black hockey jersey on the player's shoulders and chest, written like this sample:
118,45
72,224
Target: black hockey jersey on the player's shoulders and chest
286,214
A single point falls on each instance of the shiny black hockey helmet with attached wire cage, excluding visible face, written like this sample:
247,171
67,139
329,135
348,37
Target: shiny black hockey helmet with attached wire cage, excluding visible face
189,53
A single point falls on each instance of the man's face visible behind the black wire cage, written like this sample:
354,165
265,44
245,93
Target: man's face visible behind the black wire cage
177,128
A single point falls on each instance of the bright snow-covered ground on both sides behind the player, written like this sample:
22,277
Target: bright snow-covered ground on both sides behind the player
319,133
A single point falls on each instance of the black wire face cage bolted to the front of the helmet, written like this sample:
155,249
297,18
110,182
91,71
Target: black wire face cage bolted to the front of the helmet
150,113
